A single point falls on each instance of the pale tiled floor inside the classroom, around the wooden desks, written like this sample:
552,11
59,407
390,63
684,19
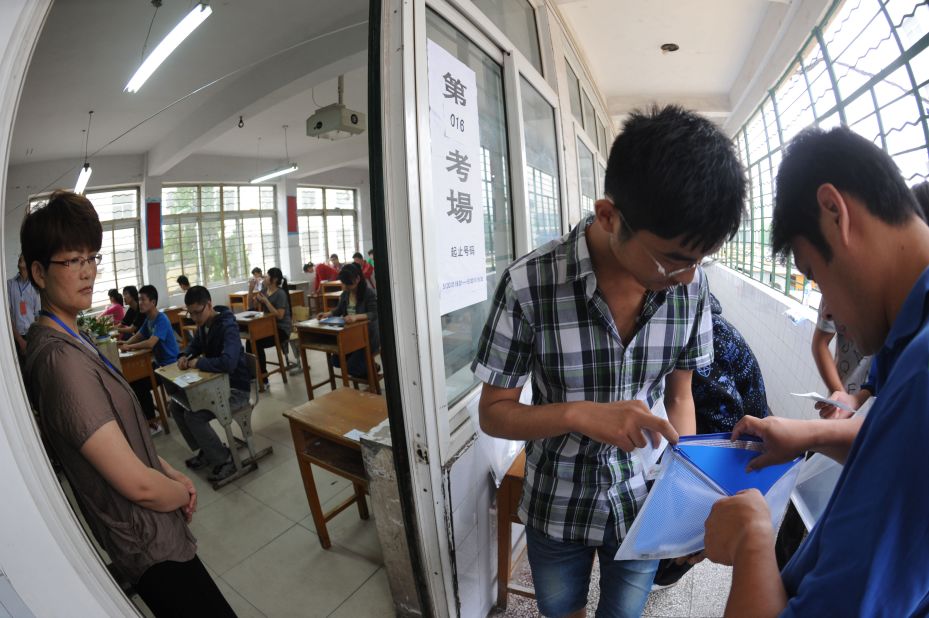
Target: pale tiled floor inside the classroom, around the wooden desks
256,535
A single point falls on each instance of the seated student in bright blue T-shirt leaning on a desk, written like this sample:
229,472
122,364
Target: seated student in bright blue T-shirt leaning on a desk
157,335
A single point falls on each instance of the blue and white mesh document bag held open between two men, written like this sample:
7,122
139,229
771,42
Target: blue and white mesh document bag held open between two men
693,475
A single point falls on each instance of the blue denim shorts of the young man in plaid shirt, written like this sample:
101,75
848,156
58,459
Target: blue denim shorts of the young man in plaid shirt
561,576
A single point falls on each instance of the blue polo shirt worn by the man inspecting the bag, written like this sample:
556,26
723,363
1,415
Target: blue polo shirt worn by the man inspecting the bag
869,553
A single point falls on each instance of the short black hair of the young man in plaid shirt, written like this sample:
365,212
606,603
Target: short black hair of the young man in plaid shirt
675,174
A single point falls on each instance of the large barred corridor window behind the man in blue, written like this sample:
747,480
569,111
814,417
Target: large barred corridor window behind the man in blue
866,66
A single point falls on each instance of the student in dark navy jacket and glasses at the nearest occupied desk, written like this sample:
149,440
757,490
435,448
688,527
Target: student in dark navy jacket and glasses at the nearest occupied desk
215,348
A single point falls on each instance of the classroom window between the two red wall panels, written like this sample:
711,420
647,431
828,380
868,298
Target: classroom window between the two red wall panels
215,234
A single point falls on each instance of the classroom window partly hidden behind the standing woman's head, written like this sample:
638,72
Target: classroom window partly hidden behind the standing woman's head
118,210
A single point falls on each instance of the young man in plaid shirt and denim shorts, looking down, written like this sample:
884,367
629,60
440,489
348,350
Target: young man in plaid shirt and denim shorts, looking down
609,321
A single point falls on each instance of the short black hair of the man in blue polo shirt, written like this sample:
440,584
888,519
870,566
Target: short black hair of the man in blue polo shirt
849,162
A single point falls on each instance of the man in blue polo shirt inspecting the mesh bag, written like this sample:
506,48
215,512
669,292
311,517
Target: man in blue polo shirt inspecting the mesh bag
846,215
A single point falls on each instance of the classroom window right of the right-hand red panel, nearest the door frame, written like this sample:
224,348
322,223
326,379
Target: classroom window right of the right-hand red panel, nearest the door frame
327,223
